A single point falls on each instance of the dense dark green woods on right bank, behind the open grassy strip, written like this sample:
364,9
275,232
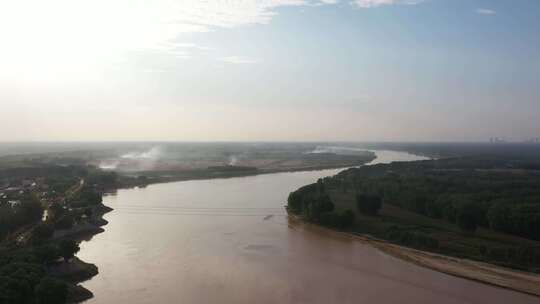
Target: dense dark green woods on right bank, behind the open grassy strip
504,200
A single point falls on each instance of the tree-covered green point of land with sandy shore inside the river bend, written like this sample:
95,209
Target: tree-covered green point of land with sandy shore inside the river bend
477,216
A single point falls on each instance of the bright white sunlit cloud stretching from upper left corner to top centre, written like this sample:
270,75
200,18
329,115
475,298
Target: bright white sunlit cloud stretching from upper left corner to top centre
122,26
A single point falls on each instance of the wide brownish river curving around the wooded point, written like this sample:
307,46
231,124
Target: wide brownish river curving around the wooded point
230,241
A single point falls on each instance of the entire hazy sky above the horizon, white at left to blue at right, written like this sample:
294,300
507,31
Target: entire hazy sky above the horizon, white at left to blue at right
269,70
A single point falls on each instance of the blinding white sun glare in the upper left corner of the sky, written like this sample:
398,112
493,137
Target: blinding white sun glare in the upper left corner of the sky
50,38
